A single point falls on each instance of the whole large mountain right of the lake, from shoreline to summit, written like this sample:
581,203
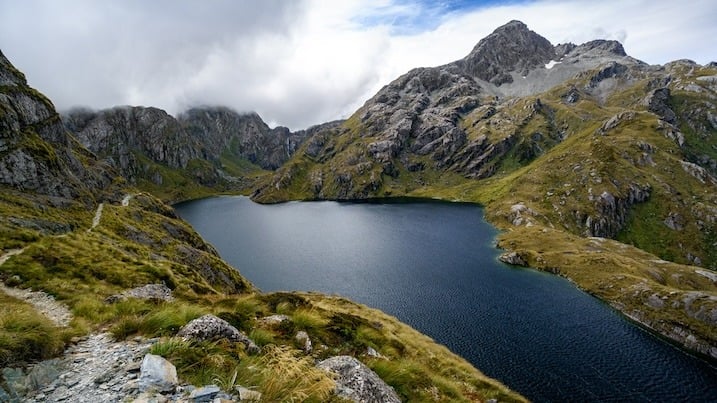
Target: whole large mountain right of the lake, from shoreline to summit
599,167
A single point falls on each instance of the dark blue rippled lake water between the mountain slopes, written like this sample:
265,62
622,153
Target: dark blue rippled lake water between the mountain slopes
433,265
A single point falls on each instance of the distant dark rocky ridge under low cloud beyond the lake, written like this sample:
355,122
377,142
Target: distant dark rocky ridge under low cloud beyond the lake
203,151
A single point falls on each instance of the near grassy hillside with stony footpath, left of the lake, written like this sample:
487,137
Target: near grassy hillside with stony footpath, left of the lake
74,231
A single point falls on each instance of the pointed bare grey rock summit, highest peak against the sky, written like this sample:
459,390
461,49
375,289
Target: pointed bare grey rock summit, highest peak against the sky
510,48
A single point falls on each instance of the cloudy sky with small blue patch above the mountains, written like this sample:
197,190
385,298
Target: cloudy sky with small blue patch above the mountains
302,62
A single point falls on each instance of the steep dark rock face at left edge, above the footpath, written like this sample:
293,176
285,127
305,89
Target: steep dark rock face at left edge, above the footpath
36,153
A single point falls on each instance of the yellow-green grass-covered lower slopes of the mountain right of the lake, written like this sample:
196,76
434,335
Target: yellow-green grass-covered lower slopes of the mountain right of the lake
560,187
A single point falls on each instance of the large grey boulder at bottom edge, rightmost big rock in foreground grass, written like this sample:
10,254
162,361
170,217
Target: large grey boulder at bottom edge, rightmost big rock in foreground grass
357,382
